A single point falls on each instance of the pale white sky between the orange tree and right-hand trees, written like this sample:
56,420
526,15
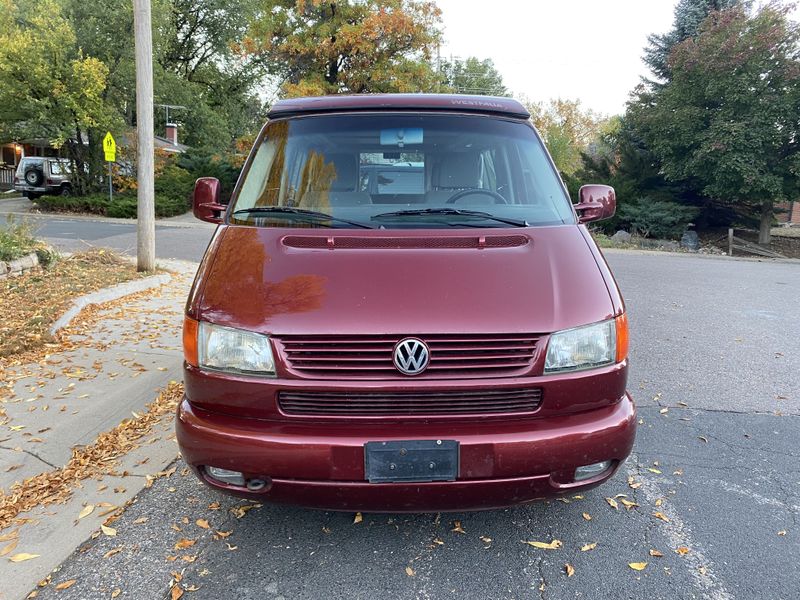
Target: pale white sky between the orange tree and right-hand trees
584,49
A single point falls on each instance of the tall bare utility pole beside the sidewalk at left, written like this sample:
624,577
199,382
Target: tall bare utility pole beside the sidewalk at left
146,220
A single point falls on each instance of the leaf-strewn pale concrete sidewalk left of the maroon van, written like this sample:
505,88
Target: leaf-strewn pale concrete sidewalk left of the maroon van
118,359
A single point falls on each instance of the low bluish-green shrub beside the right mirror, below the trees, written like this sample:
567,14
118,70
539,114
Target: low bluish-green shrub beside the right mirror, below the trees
656,218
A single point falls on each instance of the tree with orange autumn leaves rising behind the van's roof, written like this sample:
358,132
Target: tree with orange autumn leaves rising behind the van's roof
314,47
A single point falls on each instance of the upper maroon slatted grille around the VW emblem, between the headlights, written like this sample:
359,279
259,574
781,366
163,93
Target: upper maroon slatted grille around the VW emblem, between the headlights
371,357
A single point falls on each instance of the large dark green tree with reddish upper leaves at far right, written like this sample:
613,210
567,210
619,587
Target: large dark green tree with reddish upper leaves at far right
728,119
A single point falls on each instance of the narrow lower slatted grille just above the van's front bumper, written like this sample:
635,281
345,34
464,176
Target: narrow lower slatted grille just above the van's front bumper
494,401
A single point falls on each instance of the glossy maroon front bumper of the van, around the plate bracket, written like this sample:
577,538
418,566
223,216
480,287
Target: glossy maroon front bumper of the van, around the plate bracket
322,465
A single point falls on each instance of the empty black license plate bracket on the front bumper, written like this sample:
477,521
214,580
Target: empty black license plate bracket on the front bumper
411,461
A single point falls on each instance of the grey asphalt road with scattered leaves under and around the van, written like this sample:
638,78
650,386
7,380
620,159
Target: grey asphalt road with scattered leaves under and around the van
714,342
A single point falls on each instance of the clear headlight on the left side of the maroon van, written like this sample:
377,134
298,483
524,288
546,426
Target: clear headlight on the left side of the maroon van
228,349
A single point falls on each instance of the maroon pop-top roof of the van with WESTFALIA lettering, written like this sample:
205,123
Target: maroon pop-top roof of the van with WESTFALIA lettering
424,102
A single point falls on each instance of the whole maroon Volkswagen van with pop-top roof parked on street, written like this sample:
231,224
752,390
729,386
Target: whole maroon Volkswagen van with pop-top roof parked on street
401,310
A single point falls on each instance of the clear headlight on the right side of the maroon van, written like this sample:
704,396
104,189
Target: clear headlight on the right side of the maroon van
582,348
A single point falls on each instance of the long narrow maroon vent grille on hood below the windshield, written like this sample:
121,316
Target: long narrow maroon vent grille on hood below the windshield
404,243
